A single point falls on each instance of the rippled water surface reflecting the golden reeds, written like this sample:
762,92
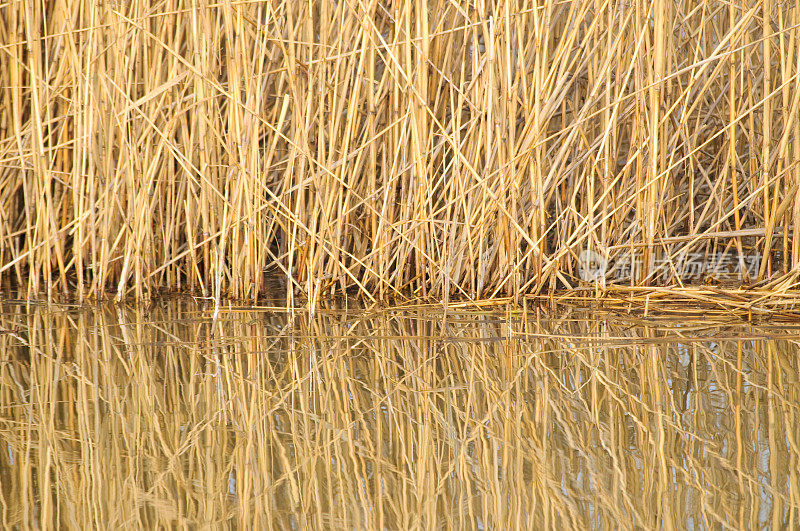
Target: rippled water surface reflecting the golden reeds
119,417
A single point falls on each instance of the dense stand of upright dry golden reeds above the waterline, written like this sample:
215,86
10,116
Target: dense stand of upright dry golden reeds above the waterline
465,150
